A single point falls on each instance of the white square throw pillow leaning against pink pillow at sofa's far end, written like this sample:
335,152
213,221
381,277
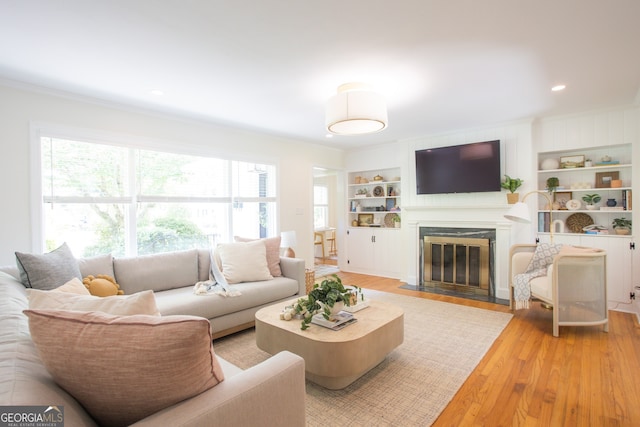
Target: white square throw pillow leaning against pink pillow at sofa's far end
244,262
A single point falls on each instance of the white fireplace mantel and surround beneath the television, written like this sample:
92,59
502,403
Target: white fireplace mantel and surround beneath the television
460,217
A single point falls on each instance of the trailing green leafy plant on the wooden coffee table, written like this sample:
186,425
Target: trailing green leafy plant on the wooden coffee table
323,297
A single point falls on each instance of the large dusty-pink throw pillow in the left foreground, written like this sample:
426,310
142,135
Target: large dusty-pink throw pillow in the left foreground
123,369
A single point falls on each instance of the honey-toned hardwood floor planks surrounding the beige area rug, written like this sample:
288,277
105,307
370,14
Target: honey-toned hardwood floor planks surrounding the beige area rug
586,377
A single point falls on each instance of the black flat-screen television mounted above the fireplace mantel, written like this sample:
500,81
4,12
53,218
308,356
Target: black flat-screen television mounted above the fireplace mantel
468,168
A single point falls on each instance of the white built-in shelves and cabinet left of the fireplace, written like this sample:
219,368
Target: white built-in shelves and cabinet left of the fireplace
373,222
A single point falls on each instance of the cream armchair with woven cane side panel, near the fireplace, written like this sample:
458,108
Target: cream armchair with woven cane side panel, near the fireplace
575,284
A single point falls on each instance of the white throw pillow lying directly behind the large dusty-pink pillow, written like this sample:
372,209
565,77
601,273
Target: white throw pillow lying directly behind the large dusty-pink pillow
124,305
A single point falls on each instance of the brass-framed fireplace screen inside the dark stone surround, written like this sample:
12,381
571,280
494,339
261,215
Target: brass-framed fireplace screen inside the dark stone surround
460,263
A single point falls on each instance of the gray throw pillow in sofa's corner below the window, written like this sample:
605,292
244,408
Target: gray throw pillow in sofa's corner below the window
48,271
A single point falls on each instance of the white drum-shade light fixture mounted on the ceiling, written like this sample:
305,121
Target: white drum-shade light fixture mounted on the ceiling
355,110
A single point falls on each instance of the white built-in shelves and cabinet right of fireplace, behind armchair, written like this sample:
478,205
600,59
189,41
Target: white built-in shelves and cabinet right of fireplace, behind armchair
606,171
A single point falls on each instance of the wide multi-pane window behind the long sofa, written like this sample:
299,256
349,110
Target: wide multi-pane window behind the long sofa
102,198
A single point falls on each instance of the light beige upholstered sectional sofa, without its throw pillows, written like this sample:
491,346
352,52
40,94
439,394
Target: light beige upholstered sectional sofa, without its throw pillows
271,393
